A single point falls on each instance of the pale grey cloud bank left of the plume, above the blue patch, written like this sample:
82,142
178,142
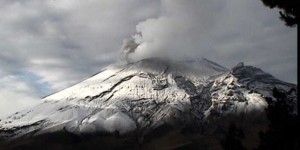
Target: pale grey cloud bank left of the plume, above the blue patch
63,41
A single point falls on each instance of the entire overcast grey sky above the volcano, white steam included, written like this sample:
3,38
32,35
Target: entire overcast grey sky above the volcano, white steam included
48,45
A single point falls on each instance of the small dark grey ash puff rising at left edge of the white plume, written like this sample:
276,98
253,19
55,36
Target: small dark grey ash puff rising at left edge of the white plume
129,46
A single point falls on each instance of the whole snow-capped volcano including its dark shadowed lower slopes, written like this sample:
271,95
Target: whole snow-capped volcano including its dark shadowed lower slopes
151,104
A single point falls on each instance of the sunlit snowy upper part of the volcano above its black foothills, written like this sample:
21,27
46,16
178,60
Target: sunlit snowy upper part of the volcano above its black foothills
140,97
